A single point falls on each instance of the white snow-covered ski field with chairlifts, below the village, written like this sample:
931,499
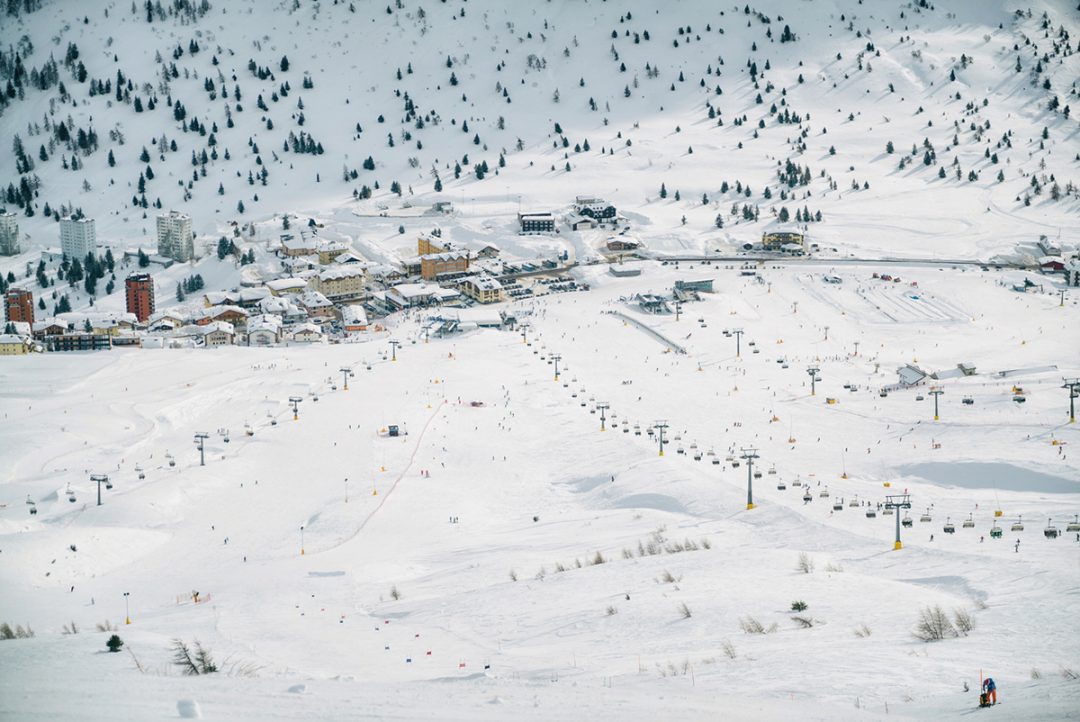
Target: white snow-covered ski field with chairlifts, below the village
488,521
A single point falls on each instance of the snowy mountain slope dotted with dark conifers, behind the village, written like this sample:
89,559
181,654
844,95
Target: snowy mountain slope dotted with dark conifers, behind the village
692,96
